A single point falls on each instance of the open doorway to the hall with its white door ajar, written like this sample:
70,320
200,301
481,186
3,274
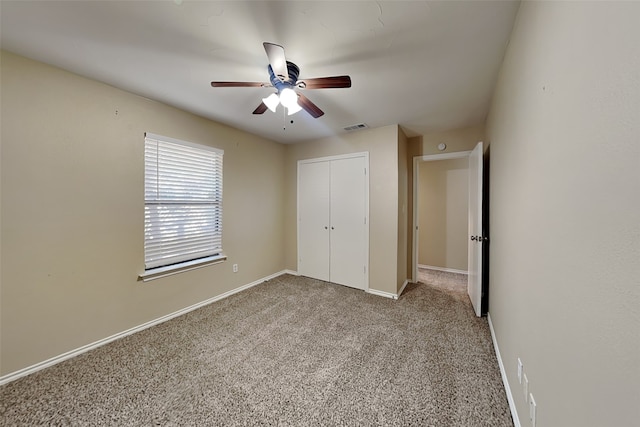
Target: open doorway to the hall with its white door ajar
450,235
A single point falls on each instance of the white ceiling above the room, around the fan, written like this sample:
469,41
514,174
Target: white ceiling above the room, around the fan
426,65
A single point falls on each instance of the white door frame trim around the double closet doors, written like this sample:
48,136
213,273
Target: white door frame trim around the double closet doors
364,154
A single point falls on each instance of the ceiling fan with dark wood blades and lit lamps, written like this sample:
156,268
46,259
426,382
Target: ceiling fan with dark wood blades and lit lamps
283,76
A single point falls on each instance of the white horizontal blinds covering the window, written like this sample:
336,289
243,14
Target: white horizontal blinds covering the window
183,201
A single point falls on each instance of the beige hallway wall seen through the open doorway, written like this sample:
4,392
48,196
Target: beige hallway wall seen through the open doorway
443,213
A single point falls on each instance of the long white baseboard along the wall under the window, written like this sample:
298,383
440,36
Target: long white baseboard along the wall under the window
73,353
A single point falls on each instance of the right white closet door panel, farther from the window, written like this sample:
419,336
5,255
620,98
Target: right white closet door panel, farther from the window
347,213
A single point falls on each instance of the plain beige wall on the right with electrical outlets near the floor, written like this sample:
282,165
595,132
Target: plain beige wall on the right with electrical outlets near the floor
565,208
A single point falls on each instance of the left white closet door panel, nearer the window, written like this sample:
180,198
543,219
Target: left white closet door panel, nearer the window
313,220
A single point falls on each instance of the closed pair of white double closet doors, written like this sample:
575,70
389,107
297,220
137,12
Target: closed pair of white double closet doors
333,223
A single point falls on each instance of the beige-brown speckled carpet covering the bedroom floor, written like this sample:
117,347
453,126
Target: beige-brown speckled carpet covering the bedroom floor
290,352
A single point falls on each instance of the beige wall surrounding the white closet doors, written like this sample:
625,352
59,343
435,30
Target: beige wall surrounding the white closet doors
382,145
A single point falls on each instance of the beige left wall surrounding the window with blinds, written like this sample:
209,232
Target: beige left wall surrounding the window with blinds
72,211
